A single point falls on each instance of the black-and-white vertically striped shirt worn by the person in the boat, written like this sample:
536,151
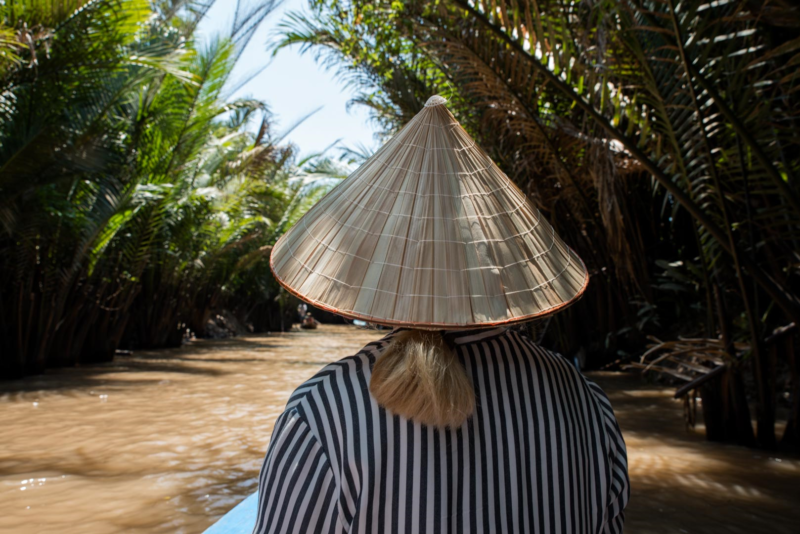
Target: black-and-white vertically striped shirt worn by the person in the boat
542,452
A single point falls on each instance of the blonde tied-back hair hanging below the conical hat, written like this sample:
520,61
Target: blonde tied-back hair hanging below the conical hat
420,378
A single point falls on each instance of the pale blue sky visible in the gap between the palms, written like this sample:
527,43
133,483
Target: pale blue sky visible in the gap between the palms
294,85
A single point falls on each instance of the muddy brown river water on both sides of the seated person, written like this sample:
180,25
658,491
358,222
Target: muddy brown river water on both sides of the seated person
168,441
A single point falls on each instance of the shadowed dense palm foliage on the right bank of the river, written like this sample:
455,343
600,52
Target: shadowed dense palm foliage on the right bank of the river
661,138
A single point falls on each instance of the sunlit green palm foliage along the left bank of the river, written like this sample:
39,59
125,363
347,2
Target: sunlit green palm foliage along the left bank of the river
135,195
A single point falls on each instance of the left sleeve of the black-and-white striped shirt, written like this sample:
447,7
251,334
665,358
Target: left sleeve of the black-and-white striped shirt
296,487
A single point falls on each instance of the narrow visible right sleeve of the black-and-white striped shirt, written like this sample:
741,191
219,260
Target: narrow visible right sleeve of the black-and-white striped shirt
619,485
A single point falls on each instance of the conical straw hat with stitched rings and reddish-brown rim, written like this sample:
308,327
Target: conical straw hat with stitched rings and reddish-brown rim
429,233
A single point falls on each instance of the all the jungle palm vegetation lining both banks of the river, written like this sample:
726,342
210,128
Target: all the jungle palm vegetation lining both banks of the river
659,137
